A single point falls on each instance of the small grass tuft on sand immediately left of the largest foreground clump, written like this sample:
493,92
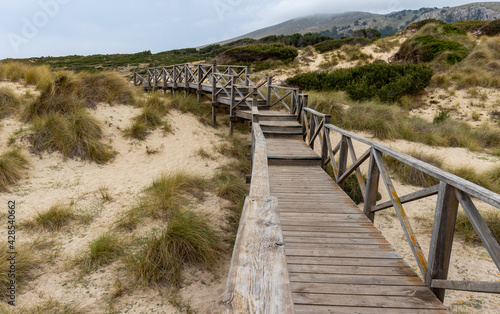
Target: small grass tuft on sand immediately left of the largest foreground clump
101,251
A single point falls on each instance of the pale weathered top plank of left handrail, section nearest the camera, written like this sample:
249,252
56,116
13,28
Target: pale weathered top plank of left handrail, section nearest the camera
258,278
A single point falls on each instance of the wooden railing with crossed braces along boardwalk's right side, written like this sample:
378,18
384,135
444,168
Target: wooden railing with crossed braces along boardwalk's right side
452,191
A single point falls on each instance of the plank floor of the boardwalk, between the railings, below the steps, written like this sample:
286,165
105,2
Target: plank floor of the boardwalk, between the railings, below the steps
338,262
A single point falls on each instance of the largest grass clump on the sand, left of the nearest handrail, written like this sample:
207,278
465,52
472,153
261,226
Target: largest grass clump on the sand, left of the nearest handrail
188,239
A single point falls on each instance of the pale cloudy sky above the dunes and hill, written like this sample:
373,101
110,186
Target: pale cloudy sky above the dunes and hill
31,28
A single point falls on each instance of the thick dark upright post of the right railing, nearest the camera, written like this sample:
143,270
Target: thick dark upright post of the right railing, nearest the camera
442,237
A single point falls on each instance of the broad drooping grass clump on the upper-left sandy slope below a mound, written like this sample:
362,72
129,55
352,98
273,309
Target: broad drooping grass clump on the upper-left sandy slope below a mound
76,134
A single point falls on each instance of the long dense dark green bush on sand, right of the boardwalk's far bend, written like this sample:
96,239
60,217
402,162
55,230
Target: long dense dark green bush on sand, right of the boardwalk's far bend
383,81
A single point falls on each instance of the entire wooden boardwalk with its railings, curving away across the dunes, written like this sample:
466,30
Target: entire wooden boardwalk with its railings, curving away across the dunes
302,244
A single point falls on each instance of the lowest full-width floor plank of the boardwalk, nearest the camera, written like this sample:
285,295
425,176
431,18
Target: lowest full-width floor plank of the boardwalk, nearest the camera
429,302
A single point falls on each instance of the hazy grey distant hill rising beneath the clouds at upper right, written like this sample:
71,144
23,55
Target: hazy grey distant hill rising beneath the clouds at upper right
337,25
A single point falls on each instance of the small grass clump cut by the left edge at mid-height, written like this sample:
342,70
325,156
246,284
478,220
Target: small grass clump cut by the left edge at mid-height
13,167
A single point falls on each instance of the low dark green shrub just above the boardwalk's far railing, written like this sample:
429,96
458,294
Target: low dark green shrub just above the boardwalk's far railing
259,53
